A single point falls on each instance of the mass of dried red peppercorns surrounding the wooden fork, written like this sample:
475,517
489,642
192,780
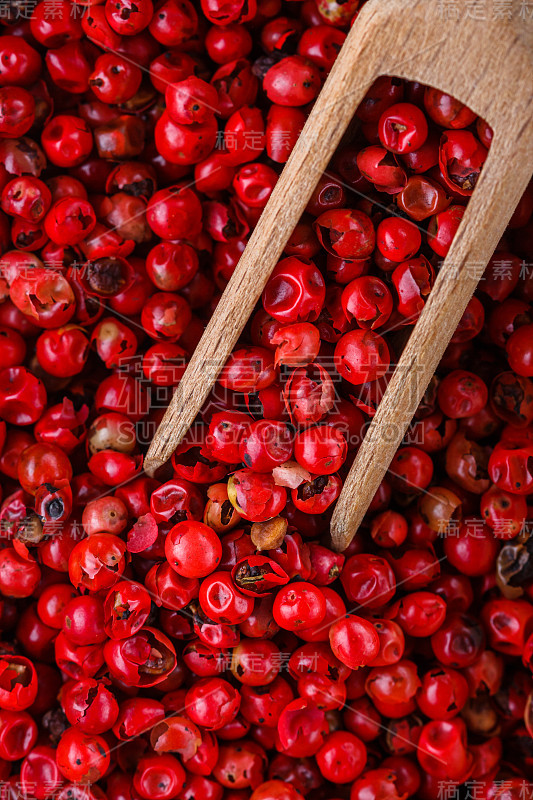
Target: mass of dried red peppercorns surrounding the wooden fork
193,636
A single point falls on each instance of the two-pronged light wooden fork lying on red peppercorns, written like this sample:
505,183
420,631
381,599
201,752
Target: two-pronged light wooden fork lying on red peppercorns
467,50
